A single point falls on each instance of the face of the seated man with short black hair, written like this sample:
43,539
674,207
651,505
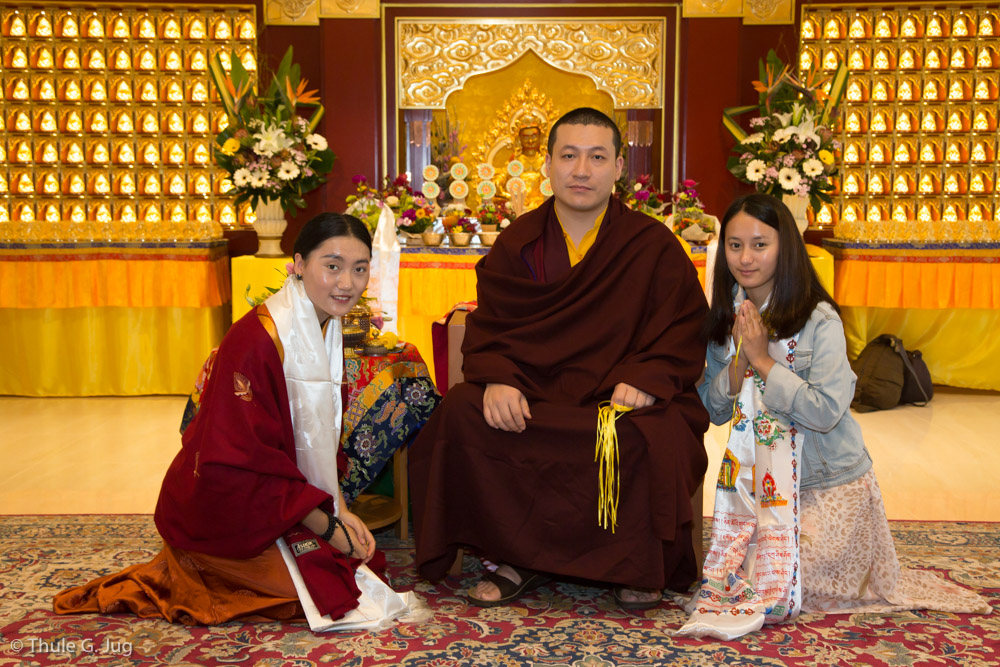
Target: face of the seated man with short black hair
583,167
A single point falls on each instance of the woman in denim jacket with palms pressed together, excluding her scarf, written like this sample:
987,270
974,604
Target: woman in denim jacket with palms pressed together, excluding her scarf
848,560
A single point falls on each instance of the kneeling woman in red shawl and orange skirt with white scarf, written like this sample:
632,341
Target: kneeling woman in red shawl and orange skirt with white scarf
250,511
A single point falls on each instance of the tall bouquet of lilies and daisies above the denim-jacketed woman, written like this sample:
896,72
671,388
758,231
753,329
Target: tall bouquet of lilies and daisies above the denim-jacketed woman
791,147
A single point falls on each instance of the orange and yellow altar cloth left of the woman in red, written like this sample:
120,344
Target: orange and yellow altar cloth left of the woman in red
89,319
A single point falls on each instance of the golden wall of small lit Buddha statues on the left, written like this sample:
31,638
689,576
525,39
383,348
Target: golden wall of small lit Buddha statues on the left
108,120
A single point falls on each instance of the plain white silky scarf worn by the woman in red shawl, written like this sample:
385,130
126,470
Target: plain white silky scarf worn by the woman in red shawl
314,371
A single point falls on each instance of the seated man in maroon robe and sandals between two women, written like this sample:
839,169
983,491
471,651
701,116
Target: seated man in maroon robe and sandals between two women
581,301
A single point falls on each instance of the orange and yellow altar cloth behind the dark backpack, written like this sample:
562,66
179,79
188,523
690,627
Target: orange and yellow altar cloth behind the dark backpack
943,299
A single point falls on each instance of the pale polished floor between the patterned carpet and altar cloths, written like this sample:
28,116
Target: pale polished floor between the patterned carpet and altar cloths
108,455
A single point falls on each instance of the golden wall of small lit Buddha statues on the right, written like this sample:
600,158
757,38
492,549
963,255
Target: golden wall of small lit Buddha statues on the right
920,130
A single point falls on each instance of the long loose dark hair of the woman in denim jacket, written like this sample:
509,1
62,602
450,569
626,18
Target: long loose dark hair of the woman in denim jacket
797,290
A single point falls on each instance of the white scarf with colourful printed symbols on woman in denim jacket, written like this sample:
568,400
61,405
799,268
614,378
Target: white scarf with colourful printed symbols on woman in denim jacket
751,571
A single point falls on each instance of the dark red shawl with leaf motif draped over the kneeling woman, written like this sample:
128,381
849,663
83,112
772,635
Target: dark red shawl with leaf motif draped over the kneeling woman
235,487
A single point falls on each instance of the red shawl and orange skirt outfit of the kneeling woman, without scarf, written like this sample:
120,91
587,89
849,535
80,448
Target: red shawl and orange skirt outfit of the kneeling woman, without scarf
232,490
